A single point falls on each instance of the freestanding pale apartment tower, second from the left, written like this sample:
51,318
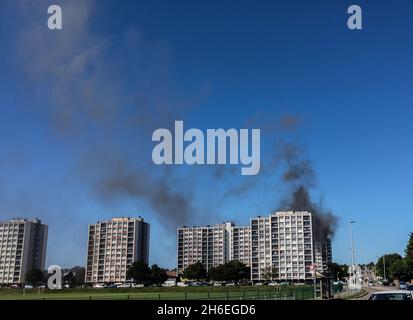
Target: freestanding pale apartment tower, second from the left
113,246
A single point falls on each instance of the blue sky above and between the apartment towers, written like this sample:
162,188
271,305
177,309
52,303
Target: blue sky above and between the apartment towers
73,102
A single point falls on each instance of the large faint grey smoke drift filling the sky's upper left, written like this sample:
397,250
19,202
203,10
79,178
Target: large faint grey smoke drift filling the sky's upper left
94,112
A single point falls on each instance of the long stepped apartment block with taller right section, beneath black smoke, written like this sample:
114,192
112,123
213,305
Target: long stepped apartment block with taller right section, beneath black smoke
280,247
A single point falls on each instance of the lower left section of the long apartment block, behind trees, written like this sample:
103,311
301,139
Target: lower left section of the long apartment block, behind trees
213,245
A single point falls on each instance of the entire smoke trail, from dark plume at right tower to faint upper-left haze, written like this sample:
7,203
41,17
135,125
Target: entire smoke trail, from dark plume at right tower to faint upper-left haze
102,102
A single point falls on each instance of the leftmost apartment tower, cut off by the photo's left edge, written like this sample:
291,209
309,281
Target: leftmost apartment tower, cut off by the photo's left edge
22,247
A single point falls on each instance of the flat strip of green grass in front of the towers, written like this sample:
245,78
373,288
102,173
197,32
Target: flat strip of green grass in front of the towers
188,293
